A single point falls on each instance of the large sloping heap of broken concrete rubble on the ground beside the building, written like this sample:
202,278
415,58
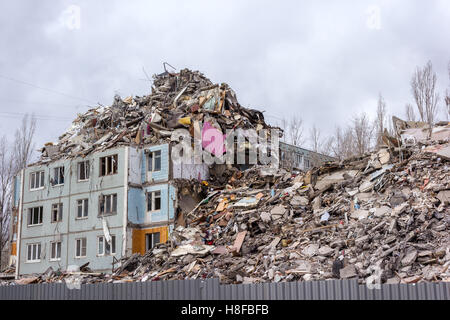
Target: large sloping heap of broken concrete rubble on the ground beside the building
363,217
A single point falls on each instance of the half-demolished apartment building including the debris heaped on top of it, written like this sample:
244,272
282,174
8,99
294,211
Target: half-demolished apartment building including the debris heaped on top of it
109,187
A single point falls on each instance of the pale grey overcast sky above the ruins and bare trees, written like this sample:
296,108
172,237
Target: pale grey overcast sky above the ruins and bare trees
324,62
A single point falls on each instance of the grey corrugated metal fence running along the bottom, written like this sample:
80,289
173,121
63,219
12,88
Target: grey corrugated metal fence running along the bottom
211,289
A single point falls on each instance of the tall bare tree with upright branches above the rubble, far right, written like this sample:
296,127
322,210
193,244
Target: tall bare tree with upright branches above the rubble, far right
423,86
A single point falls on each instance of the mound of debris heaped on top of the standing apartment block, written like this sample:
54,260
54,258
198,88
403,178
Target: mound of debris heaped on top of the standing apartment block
178,100
